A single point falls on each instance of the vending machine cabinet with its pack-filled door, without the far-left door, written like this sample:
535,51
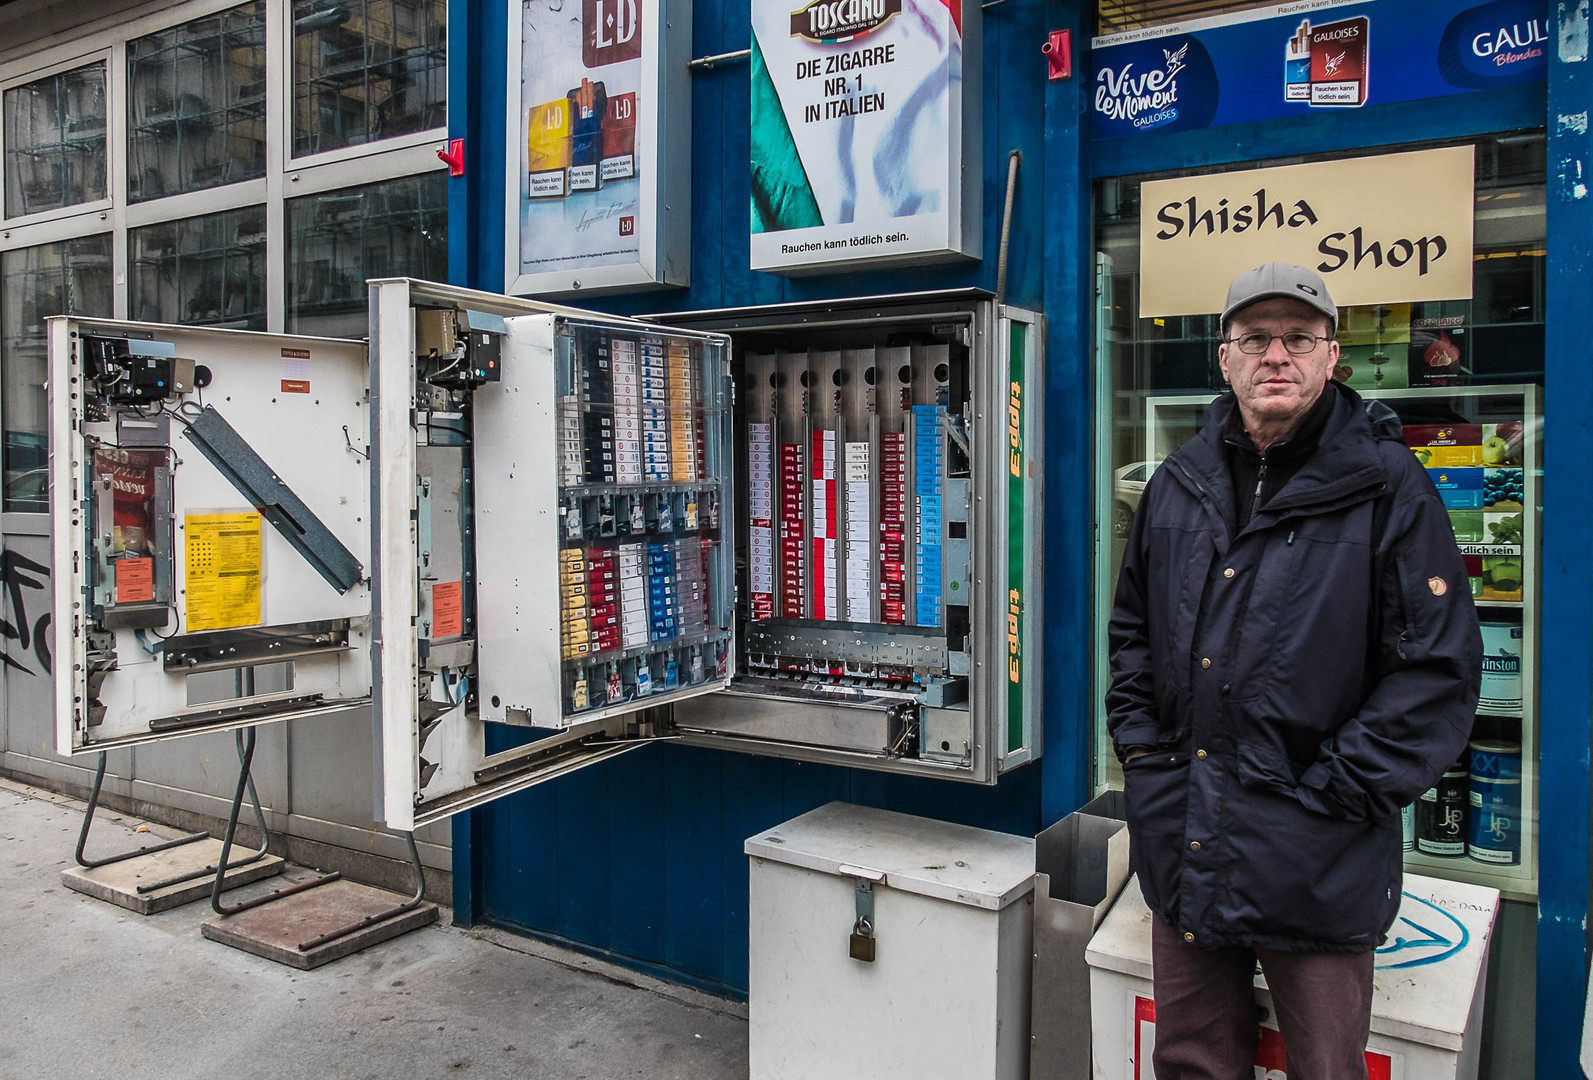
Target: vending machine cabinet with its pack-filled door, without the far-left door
802,531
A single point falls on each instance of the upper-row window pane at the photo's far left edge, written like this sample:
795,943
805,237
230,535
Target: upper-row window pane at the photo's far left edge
55,143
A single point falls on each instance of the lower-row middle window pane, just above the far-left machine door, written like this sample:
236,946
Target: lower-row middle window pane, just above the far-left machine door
206,272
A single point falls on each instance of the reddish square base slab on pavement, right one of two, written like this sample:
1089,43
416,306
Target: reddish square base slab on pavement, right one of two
275,931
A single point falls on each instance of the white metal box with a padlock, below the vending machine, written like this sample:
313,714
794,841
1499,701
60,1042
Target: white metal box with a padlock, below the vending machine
947,995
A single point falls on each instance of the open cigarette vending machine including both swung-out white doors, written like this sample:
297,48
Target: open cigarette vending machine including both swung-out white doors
804,531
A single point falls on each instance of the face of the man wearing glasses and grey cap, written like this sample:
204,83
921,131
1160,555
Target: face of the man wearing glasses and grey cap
1277,388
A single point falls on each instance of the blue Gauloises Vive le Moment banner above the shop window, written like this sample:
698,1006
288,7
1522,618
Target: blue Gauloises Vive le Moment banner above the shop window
1299,58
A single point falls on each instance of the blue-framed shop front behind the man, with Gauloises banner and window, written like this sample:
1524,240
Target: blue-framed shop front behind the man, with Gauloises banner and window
1401,151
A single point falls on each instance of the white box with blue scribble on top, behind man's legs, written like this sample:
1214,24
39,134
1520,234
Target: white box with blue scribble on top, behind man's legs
1427,993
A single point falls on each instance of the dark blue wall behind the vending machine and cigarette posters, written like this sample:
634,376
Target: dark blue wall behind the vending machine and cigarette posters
643,858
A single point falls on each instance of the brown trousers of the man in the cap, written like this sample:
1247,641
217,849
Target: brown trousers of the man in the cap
1208,1023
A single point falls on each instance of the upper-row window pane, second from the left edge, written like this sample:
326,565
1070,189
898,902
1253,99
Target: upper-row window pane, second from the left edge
197,104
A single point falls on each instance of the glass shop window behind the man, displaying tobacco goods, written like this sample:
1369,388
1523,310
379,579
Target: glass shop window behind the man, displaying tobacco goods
1471,366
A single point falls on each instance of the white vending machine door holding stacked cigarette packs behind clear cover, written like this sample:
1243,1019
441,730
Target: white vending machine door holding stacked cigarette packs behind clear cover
550,488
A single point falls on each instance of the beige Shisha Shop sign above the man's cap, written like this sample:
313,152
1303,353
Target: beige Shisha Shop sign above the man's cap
1380,230
